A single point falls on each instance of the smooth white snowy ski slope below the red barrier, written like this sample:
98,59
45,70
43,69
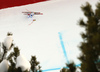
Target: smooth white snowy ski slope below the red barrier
41,38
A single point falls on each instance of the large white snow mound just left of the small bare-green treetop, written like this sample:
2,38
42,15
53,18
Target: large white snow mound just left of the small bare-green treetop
23,63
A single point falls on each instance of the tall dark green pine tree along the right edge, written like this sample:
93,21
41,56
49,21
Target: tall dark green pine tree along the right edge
90,47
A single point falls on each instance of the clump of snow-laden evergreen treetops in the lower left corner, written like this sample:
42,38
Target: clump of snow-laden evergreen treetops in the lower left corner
12,61
